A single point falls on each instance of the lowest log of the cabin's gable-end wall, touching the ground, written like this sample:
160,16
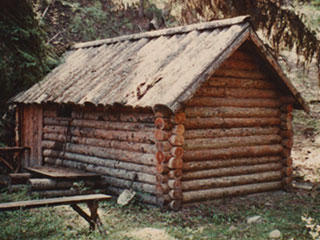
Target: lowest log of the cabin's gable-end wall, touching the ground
203,195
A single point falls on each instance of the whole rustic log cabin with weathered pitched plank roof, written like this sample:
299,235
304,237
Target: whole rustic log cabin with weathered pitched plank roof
190,114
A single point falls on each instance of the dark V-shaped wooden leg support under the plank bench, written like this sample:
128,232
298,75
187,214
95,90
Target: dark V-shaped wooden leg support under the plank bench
93,219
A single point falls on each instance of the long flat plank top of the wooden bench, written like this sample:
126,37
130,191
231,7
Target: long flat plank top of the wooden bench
53,201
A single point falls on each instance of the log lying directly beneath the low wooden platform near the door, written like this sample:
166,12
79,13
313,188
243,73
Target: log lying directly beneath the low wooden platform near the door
38,184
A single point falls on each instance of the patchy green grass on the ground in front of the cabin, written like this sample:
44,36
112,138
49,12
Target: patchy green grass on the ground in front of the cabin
282,211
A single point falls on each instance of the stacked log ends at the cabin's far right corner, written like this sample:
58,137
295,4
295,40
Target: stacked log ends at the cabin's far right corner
287,142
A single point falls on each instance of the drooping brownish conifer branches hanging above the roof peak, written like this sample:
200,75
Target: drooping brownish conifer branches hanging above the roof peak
277,19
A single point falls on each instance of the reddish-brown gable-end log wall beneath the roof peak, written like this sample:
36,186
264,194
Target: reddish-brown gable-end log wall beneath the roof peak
238,134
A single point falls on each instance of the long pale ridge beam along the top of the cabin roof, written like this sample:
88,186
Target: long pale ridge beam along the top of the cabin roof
166,31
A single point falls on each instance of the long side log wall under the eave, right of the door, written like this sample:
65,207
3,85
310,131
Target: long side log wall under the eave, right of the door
119,145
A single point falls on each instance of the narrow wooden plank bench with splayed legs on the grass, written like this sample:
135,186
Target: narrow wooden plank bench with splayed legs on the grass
91,200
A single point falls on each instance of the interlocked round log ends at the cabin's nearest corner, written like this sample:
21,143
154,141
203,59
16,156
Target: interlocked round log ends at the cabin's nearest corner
169,136
